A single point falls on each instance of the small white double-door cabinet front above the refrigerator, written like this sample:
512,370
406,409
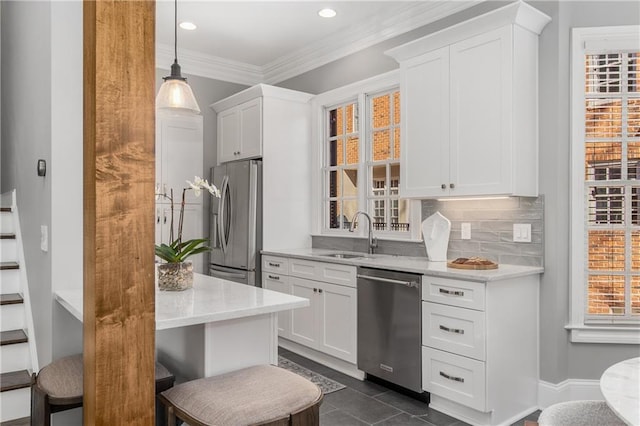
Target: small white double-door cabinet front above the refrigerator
240,132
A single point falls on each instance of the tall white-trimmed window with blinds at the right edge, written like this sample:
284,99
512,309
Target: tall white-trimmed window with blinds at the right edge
606,185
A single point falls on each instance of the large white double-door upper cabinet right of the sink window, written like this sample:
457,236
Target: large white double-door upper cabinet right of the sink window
469,99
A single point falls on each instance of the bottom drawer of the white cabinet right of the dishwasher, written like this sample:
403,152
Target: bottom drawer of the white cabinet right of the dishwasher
454,377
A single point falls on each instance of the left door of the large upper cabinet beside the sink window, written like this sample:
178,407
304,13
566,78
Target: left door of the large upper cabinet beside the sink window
424,153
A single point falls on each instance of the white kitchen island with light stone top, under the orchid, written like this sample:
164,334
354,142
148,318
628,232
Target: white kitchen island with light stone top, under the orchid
215,327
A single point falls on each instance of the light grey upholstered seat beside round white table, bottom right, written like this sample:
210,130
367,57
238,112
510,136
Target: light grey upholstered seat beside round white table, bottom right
579,413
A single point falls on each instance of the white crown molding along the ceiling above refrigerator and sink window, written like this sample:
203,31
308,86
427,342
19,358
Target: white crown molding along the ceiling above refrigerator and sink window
314,55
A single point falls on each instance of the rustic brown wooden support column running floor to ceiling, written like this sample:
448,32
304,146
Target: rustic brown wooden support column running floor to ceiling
119,177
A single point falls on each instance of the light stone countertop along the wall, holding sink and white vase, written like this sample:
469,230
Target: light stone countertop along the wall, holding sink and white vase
420,265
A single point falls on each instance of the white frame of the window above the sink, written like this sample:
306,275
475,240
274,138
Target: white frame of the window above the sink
319,103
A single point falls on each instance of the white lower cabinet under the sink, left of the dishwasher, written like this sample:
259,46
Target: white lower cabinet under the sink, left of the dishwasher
328,324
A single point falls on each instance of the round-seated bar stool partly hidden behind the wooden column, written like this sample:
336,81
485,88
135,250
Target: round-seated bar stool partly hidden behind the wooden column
58,387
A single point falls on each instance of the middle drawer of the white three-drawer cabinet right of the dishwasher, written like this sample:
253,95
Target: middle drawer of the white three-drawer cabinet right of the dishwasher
452,329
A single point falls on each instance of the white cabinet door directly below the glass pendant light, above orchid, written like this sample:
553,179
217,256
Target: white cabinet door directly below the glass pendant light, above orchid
180,147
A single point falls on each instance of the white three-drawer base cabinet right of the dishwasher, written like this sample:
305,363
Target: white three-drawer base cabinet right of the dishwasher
480,348
